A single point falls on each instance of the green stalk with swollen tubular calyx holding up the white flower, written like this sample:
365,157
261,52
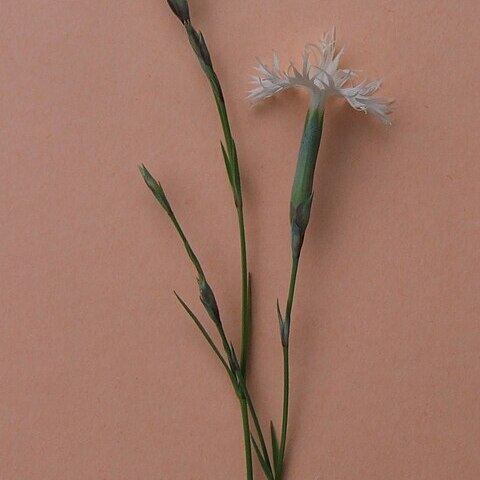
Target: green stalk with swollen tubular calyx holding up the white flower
300,206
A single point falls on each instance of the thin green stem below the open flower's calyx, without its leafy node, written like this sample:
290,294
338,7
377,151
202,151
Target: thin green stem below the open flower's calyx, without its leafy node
286,369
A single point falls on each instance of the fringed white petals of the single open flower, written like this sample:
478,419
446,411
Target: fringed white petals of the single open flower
321,76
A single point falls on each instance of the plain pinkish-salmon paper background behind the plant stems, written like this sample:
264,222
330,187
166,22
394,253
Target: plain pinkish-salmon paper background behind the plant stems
102,375
